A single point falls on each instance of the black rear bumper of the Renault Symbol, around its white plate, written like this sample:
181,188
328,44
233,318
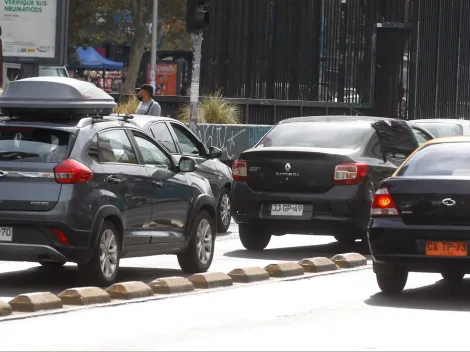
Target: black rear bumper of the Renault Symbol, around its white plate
340,210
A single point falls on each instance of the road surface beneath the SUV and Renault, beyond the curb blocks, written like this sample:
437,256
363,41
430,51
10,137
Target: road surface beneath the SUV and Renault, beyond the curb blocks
17,278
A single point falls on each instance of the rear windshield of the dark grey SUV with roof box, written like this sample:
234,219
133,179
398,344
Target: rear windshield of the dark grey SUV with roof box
33,144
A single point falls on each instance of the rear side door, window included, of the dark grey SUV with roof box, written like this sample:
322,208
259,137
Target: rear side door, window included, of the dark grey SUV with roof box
127,184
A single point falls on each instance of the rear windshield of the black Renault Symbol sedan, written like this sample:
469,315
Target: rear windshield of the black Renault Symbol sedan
316,135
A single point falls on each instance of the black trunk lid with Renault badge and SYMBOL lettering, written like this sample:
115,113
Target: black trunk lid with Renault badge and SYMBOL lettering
293,170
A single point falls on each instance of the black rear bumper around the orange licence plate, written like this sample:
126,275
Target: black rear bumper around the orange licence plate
394,244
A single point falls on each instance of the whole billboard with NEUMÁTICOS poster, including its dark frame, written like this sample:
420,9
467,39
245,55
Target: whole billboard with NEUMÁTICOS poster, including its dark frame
34,31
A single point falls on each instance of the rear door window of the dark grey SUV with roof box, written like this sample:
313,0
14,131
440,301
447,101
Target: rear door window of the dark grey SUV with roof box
115,147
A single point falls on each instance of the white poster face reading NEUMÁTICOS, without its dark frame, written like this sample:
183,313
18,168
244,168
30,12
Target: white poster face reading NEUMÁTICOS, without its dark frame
28,28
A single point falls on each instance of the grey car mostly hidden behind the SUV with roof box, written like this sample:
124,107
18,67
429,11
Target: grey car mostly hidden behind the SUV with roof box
179,140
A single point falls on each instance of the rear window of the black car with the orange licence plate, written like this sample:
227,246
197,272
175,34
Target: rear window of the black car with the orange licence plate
446,159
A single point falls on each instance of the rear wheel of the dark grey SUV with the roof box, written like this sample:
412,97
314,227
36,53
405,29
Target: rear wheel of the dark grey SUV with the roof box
103,267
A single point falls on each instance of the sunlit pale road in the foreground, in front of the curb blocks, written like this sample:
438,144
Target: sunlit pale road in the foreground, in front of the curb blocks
334,312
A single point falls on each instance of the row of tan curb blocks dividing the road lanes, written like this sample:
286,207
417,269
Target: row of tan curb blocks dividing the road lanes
46,303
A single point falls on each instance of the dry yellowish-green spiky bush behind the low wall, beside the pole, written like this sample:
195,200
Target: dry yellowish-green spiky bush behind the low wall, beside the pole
213,109
